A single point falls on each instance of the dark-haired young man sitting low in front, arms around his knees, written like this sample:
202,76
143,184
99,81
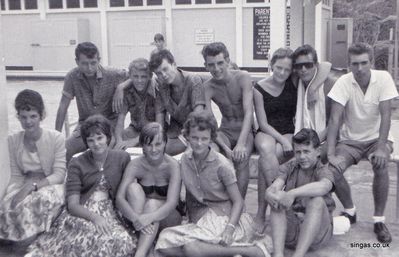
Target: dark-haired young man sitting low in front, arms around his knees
301,199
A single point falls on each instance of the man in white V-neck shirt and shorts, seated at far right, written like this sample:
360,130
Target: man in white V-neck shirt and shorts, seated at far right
361,103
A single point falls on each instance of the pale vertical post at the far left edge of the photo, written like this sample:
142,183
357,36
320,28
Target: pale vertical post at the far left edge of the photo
4,158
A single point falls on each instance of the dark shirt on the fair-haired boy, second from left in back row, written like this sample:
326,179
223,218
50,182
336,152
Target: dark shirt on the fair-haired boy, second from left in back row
140,107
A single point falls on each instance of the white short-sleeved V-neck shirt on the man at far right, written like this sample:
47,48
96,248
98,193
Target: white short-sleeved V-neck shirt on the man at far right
362,116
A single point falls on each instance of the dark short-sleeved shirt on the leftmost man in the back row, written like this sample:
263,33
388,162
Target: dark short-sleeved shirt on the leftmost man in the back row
94,95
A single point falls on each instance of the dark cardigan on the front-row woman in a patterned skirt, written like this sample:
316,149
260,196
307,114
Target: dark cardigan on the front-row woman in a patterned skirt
83,174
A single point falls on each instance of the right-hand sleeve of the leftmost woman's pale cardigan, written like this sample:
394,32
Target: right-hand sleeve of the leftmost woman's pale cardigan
59,165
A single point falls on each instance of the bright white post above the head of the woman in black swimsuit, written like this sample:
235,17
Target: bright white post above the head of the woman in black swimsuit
278,20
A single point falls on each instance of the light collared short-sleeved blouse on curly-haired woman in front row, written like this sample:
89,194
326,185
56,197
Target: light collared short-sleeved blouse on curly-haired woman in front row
207,184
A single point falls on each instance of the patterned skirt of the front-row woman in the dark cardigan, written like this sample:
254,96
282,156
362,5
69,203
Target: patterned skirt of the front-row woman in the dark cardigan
74,236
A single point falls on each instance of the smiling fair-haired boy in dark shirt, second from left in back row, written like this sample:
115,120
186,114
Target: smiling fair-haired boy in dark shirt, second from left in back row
140,100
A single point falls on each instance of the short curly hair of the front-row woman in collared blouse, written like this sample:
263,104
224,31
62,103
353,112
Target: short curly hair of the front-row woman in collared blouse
203,120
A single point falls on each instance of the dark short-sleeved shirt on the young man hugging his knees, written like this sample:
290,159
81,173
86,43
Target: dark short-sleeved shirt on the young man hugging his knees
294,177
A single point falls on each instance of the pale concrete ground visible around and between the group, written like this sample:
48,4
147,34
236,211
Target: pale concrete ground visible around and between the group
358,242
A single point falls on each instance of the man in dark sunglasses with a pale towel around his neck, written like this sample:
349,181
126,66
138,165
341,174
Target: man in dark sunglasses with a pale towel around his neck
315,81
